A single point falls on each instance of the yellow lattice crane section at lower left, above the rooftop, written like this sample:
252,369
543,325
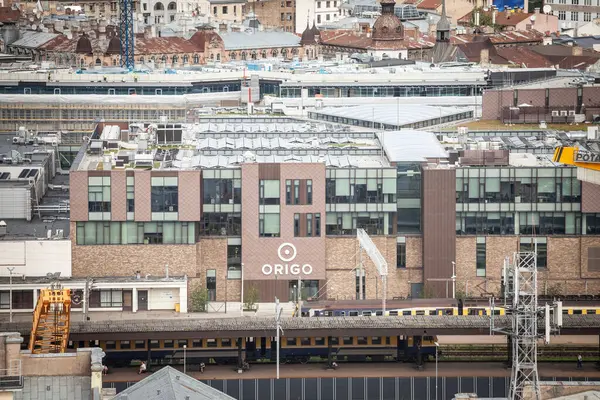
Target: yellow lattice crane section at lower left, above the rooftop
51,321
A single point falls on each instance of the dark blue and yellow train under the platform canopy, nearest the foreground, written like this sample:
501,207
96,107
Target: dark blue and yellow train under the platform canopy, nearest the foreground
221,351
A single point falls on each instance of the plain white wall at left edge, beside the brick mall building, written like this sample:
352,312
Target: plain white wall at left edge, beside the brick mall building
36,257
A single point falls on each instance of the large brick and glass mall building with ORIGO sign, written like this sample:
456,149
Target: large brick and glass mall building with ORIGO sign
266,203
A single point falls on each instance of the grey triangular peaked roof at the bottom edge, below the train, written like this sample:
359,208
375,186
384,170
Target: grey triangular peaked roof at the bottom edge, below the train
170,384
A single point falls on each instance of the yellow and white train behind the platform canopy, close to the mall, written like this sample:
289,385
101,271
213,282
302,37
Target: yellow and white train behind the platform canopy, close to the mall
572,305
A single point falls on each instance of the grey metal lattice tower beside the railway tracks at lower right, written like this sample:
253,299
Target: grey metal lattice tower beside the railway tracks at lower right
521,287
